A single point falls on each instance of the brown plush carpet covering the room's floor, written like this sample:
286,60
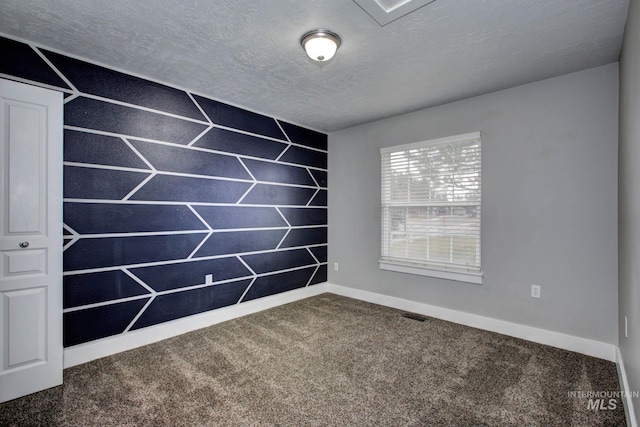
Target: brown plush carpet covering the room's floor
329,361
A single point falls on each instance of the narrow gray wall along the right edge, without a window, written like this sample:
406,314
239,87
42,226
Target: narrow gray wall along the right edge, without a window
629,190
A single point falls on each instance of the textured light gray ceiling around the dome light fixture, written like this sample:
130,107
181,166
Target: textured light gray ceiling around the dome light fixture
247,53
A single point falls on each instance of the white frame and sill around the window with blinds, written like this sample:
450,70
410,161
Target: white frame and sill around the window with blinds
443,270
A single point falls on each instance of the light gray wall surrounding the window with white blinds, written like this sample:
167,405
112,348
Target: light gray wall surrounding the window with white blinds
549,213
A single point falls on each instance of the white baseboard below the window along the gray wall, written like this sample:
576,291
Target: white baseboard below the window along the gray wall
567,342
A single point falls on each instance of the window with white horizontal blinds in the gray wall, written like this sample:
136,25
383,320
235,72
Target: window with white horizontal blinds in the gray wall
431,208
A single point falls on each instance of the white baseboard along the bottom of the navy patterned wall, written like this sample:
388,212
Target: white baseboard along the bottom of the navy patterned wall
87,352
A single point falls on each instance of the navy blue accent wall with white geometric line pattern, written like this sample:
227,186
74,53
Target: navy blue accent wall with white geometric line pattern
175,204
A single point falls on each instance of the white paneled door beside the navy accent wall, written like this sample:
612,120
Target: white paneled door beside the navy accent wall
30,239
